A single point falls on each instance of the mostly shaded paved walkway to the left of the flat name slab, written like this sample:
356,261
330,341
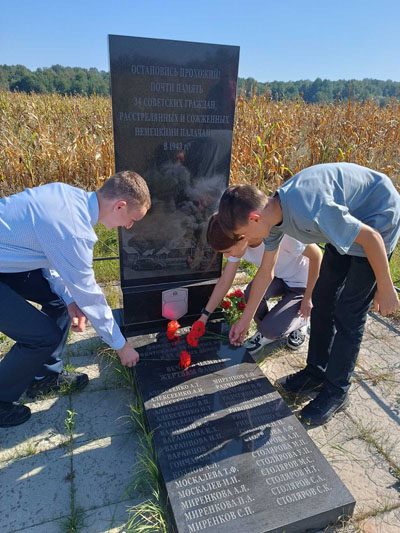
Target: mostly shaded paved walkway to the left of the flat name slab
70,467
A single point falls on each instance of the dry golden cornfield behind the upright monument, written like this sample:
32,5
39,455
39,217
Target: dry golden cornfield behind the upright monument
46,138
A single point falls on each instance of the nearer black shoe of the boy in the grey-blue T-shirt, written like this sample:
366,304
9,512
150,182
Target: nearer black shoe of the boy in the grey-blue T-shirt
324,407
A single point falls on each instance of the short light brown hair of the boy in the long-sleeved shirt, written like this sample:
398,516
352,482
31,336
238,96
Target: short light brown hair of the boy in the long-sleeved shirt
129,186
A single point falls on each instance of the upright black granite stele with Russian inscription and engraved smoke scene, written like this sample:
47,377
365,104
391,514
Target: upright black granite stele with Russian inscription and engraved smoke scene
173,110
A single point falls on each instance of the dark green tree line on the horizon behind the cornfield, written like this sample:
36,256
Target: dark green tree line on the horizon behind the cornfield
76,80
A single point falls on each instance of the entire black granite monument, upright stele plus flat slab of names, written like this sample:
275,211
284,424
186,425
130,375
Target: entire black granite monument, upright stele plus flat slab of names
232,455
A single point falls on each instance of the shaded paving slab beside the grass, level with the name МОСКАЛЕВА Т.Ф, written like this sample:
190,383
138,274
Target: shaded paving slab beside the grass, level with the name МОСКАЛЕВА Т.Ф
104,470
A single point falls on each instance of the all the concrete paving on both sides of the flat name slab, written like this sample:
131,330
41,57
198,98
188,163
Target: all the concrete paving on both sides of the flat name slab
71,467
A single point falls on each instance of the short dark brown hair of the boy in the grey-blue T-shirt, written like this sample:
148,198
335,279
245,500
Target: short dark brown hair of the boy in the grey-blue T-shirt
236,204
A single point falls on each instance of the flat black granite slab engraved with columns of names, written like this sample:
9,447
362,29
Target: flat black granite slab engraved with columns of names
232,455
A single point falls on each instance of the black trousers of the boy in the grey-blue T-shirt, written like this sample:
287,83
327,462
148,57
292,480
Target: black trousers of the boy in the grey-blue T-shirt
341,299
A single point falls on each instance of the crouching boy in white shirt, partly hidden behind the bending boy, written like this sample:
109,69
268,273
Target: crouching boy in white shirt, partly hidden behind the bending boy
296,272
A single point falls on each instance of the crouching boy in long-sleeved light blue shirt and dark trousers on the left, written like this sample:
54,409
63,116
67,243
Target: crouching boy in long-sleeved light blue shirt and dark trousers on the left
46,256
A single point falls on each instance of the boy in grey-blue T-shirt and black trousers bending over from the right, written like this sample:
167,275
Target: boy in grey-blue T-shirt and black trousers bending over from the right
356,211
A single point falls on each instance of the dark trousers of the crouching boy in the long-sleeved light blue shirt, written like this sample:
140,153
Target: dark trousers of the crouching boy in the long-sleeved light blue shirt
40,335
